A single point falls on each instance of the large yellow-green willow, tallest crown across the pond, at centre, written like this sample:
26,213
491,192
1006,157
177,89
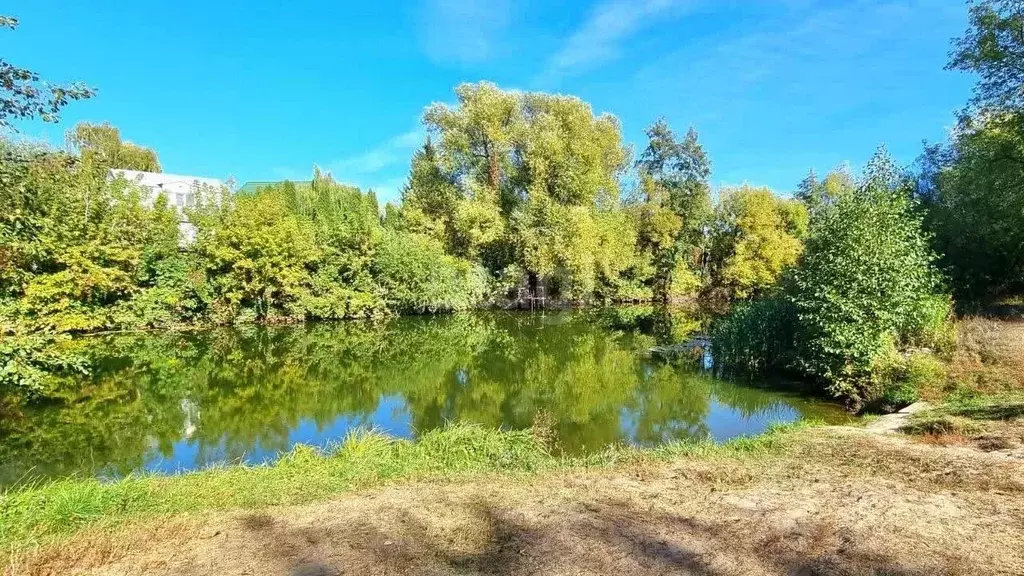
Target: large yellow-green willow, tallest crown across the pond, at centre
529,184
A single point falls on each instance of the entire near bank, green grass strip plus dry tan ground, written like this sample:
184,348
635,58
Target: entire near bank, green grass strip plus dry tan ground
854,492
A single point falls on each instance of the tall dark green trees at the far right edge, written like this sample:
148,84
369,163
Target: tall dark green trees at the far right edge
972,188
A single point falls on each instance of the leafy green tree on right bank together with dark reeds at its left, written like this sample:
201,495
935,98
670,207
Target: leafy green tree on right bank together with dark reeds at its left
865,289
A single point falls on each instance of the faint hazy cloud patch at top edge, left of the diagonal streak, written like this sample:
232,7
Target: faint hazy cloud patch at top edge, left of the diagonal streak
463,31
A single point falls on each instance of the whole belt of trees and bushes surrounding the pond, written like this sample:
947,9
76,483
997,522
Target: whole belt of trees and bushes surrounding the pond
526,192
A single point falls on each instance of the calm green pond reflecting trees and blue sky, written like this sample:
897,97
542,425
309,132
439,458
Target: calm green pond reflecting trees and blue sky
182,401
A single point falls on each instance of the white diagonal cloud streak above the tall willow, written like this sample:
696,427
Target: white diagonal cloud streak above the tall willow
601,37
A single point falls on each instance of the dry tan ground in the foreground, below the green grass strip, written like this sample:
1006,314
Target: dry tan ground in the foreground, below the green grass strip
841,502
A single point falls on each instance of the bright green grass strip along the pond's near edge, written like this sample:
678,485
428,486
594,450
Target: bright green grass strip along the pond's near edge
44,514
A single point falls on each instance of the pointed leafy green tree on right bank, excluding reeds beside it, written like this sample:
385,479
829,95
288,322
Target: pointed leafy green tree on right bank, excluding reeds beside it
865,280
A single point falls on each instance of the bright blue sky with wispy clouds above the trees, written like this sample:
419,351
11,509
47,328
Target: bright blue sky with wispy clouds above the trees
266,92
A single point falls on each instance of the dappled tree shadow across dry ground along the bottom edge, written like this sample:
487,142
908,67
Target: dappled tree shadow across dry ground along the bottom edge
611,539
